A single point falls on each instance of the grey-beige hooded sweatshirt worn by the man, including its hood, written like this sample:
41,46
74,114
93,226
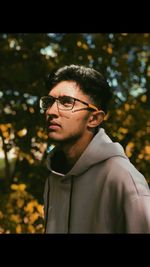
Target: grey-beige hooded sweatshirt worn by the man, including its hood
102,193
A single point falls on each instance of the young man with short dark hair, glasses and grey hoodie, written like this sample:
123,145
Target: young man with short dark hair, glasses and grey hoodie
92,187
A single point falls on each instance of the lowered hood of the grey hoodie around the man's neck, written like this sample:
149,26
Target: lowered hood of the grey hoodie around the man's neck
99,149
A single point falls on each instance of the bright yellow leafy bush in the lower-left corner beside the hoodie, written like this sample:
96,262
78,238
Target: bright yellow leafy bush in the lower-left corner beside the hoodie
22,213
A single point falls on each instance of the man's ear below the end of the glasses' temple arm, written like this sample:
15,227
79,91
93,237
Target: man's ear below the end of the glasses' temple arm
96,118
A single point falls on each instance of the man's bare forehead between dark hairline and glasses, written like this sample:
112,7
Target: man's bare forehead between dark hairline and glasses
69,88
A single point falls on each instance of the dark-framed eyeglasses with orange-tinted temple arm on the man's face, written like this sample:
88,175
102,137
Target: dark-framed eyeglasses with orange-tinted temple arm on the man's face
63,102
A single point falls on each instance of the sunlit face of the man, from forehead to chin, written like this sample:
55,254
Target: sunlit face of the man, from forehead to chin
67,125
